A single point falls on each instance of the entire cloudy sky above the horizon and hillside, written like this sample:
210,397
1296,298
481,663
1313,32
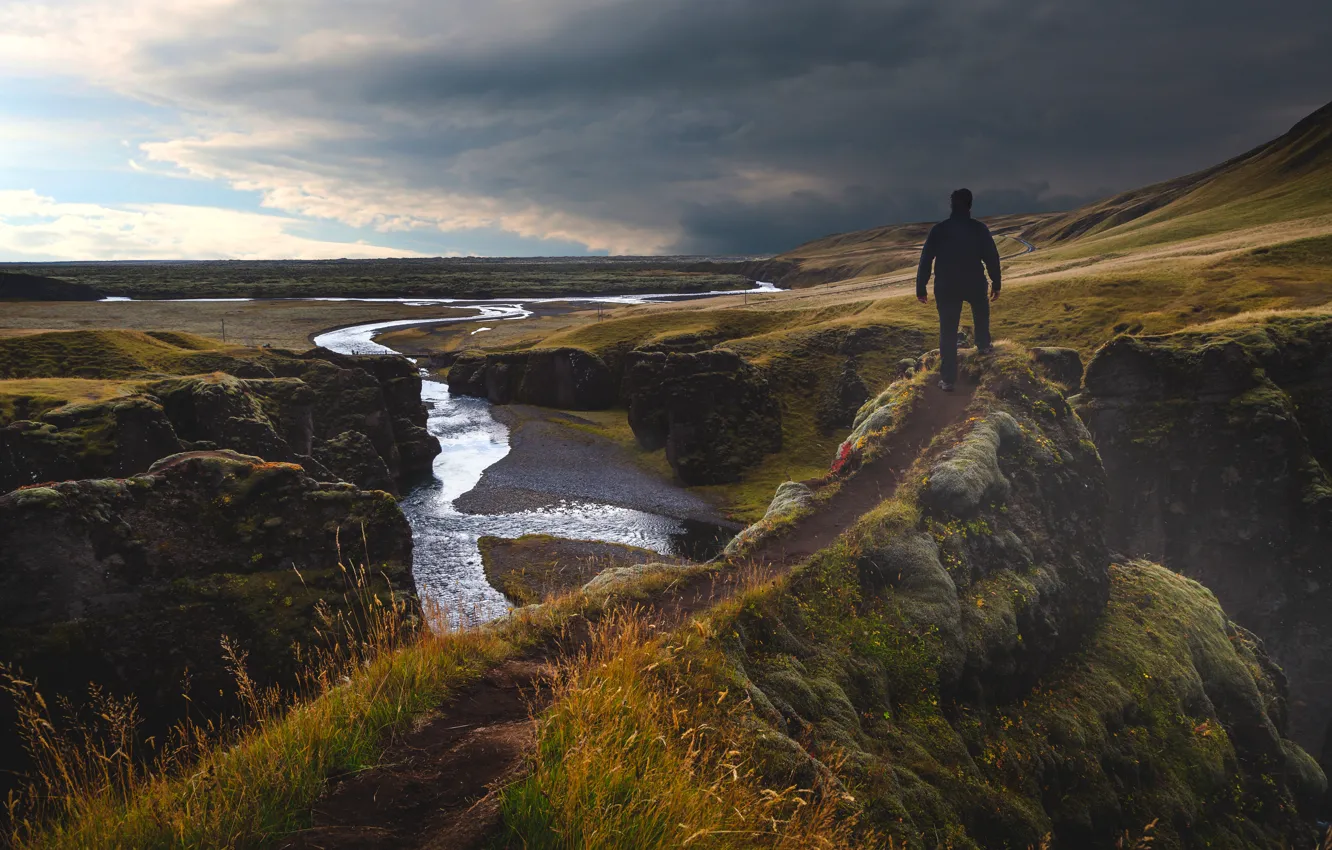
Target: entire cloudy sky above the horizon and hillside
151,130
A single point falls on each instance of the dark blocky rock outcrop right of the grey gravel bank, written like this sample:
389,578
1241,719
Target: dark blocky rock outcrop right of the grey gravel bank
713,412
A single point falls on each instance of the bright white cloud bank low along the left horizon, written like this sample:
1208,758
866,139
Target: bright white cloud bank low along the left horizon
34,227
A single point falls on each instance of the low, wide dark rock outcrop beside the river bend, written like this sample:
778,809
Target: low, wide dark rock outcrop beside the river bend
568,379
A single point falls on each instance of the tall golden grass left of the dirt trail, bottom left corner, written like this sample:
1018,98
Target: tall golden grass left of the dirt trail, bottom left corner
244,784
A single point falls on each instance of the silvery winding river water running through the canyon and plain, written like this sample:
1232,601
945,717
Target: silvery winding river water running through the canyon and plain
447,562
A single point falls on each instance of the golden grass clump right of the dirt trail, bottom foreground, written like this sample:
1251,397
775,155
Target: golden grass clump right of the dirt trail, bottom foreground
629,759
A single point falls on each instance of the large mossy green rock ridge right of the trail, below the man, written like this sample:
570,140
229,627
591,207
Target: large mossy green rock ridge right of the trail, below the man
988,677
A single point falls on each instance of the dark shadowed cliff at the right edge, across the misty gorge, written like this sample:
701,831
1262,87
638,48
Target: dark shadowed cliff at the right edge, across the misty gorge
1218,446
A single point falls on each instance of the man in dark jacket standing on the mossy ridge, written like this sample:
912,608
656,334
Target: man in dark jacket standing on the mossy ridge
960,251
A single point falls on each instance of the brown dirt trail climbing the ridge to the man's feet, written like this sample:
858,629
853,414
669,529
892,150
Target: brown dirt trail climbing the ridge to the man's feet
436,789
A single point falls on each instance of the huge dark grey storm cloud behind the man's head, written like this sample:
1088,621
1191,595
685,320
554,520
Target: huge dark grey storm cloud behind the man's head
751,126
